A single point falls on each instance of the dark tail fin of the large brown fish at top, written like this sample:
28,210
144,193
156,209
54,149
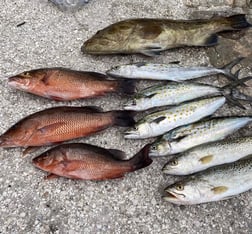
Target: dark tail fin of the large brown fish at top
237,22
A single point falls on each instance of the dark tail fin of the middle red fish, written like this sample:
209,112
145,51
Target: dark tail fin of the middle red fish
123,118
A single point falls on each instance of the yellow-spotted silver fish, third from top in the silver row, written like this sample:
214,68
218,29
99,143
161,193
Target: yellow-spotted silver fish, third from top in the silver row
161,122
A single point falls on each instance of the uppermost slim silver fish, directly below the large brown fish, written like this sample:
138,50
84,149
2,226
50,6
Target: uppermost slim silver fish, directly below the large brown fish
172,71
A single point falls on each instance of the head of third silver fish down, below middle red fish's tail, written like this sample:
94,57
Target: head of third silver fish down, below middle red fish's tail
141,130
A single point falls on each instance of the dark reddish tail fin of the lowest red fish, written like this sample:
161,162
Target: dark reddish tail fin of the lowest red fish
141,159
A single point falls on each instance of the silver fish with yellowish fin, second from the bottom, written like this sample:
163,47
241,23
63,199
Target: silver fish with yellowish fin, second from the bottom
209,155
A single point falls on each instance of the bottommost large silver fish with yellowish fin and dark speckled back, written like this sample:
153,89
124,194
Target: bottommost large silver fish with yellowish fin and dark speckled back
215,184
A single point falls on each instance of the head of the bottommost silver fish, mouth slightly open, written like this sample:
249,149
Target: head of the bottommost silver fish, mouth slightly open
190,191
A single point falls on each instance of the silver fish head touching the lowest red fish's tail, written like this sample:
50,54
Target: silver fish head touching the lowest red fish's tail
161,147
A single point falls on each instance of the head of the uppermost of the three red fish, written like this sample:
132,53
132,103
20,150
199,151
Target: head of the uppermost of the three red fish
27,80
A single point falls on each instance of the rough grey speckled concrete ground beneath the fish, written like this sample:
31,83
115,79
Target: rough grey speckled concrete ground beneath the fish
49,38
